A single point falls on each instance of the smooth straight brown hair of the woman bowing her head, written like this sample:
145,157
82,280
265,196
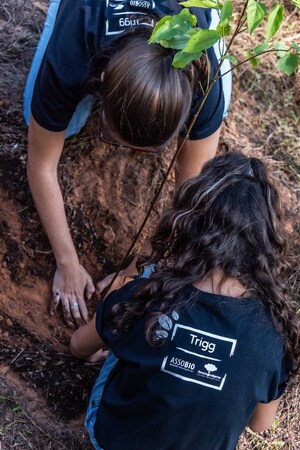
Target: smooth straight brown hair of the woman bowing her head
145,99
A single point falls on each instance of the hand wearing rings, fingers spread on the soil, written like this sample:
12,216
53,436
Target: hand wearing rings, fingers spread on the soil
70,285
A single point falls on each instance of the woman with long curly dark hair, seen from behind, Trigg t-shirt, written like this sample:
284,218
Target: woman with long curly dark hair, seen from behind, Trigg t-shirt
206,345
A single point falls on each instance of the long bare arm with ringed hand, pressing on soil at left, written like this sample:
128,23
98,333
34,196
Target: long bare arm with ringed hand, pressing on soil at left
70,280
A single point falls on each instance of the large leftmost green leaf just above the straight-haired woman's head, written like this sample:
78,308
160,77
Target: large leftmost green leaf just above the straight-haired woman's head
174,31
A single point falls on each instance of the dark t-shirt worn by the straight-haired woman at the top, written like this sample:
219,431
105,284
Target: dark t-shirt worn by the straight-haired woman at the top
81,29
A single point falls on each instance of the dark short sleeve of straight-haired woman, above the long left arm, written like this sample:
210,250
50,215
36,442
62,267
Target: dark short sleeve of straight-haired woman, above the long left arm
58,86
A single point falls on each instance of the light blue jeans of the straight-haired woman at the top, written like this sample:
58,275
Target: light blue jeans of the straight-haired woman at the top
84,108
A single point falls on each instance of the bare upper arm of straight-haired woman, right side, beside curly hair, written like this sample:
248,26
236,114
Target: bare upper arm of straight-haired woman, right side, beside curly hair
194,154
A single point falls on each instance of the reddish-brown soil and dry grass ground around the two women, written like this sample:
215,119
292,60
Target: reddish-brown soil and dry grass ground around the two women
43,390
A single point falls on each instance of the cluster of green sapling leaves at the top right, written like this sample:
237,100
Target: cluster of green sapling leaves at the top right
180,32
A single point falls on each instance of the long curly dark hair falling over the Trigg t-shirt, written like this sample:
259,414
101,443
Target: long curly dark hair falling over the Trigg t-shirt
227,218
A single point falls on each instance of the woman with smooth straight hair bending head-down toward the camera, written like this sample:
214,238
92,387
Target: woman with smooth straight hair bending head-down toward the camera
99,49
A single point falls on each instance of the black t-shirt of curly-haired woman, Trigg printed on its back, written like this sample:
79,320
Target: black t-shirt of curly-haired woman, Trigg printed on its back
221,357
